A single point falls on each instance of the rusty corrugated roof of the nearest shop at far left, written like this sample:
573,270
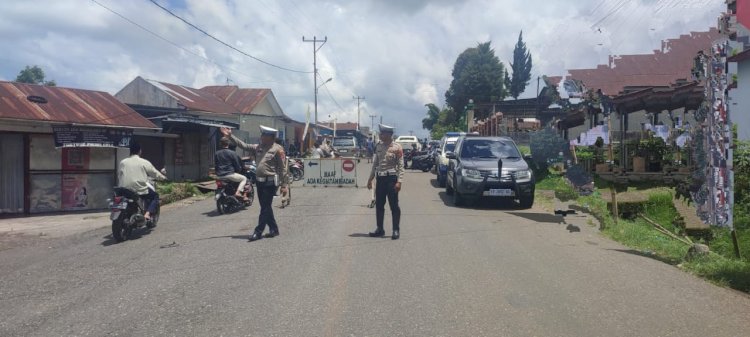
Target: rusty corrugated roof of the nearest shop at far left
67,105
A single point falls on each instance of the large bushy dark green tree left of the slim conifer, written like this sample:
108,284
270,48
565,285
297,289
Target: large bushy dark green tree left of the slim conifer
479,75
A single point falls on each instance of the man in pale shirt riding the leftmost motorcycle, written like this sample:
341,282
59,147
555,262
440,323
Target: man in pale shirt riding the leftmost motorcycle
133,174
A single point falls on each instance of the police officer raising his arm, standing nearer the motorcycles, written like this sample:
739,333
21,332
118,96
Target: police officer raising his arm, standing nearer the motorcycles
271,173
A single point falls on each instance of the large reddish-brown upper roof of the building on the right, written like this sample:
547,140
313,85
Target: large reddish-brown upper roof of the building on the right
662,68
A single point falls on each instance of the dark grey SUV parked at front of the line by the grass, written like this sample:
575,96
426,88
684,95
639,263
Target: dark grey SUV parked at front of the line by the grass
489,167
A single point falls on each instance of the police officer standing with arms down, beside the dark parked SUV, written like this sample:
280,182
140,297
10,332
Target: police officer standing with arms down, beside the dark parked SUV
388,168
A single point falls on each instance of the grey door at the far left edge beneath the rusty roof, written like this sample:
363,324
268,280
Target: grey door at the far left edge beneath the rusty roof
11,173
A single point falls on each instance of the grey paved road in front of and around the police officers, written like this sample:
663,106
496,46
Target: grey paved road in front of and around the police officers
487,271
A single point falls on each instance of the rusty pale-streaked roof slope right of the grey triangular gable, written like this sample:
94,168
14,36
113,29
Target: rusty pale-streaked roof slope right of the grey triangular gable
195,99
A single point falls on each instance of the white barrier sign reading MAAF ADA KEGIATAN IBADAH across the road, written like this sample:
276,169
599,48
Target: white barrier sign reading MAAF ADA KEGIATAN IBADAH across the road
331,172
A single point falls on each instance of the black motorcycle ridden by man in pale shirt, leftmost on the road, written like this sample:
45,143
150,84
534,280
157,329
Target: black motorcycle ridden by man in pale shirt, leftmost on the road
127,210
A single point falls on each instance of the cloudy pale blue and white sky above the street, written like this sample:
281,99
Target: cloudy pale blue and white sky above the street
397,53
